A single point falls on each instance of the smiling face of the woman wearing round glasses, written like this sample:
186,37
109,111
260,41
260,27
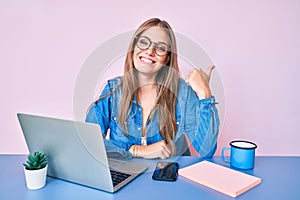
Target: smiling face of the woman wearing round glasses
147,62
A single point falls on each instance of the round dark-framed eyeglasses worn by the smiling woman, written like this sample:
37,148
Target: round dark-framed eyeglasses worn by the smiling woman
144,43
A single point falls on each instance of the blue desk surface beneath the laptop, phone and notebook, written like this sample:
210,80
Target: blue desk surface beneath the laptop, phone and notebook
280,180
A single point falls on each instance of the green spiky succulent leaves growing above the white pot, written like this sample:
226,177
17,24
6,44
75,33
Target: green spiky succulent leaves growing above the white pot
35,161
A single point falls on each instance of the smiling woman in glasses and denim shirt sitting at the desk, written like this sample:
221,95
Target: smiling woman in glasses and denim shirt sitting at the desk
150,111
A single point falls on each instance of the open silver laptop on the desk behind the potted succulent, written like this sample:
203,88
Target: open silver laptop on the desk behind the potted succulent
76,152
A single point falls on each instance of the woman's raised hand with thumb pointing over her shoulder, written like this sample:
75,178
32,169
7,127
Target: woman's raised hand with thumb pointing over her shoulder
199,81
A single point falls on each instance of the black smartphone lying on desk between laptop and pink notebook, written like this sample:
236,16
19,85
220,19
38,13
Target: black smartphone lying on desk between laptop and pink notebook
166,171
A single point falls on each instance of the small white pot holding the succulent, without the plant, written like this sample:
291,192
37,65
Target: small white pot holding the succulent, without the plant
35,179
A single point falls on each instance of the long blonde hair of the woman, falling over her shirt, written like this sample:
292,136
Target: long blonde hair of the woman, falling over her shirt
166,81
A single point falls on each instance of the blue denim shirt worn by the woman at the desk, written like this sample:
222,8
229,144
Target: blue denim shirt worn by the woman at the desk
198,119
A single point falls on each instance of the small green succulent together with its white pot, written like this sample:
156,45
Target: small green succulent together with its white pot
35,170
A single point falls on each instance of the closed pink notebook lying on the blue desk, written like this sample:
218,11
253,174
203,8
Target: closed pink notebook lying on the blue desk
217,177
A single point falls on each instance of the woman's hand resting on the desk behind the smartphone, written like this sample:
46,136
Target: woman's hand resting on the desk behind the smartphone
156,150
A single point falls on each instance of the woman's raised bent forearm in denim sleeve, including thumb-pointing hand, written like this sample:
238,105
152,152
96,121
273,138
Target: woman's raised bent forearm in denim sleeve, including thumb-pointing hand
204,138
